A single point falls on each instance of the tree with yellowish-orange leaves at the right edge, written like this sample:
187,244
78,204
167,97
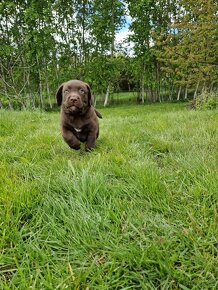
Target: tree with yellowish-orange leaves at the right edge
190,48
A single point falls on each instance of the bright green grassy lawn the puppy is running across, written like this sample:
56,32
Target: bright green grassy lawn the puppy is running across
139,212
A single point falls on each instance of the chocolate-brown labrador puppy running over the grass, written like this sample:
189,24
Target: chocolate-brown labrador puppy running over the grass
79,119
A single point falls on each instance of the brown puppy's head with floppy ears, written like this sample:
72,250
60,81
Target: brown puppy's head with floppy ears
74,96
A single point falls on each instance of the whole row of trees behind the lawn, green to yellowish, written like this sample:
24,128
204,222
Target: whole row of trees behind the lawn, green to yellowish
174,52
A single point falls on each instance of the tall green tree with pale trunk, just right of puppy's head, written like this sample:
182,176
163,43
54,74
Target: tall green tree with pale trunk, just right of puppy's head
106,19
